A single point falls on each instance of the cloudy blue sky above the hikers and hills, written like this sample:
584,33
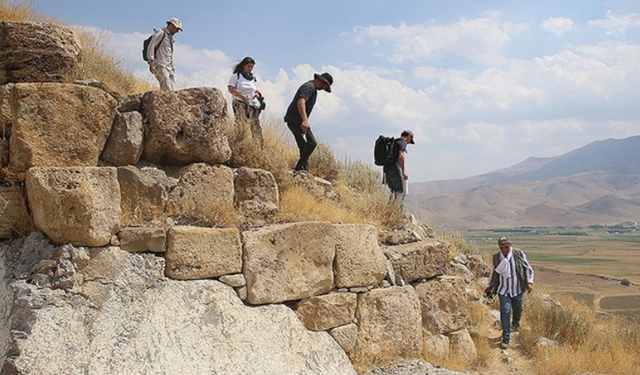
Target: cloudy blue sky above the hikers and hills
483,84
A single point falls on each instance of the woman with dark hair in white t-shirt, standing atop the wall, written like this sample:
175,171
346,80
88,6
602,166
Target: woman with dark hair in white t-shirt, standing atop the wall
247,101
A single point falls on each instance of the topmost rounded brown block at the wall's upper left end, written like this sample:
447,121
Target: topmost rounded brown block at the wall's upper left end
38,52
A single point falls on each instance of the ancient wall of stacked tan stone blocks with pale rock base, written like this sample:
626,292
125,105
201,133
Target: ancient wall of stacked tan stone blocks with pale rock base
138,264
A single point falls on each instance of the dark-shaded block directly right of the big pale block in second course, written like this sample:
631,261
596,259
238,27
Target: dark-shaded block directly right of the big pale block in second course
144,195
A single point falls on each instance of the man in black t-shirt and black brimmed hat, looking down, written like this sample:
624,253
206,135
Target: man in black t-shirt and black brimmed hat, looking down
297,117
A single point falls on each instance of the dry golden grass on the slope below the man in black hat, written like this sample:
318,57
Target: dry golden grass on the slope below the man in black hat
362,198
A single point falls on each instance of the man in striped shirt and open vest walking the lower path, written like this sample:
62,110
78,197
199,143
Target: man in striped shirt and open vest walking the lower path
511,276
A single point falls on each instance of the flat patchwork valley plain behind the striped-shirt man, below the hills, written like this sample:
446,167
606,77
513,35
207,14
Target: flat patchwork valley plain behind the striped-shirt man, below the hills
590,265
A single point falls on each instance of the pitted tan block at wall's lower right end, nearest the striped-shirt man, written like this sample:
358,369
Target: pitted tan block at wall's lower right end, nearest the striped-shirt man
444,304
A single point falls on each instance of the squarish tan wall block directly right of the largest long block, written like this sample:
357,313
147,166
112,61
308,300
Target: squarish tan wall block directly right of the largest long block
359,260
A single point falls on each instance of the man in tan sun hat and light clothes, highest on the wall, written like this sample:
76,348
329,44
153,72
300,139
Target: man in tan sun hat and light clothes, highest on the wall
160,54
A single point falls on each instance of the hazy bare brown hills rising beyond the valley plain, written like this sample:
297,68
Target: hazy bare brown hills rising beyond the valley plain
595,184
